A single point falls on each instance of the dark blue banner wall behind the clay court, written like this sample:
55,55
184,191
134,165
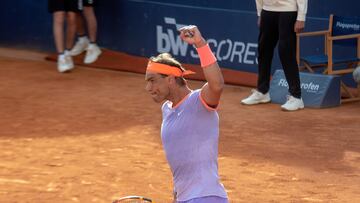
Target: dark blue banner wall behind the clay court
146,28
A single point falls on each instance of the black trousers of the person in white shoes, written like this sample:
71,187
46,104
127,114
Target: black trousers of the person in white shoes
278,27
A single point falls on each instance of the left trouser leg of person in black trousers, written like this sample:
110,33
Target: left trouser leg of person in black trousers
267,41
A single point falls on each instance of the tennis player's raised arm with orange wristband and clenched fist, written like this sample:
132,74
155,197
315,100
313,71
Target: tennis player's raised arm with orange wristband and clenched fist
212,90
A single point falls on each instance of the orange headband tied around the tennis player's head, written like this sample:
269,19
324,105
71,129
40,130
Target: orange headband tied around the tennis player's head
167,70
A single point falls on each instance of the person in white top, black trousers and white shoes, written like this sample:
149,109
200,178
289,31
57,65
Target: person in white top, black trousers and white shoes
279,21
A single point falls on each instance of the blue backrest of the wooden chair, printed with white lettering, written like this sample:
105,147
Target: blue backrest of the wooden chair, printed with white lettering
341,25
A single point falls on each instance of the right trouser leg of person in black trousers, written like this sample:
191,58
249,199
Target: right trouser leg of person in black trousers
287,52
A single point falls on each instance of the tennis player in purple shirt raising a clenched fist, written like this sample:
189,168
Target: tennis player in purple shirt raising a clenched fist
190,126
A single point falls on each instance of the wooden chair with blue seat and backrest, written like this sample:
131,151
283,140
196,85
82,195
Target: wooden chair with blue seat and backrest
343,31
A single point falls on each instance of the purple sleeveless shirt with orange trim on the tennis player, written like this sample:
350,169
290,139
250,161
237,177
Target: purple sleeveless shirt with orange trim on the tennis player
190,135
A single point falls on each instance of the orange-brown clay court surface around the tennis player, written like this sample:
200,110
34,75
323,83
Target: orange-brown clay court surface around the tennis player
94,135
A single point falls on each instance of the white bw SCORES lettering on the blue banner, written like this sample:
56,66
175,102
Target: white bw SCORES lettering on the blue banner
169,41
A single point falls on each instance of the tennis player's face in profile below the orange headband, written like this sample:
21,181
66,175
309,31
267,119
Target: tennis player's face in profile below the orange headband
158,86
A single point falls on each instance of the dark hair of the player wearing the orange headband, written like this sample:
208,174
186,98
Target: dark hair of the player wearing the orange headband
166,58
